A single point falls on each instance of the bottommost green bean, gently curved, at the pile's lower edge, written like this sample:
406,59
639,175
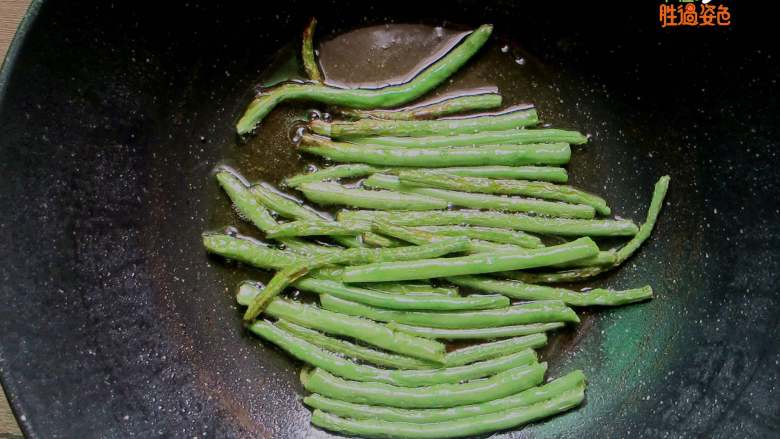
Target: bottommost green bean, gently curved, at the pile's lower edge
472,426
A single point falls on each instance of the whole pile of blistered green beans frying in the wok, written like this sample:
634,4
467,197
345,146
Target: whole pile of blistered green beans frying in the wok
455,214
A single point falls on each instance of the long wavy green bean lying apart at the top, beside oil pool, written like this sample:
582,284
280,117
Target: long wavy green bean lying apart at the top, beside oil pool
385,97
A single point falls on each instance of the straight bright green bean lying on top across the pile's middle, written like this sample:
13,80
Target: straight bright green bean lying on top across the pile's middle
472,264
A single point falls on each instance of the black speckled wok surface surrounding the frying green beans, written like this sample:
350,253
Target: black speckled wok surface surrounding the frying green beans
115,324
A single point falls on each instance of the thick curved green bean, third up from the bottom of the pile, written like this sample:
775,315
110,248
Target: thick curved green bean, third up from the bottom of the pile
440,395
